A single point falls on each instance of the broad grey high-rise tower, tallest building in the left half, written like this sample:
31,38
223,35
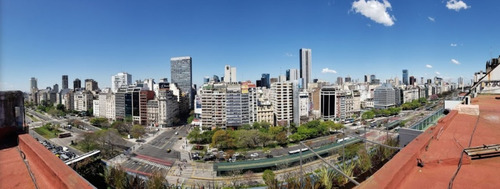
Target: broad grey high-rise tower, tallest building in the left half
181,71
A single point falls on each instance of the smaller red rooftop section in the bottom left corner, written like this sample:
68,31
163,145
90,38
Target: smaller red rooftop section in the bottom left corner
48,170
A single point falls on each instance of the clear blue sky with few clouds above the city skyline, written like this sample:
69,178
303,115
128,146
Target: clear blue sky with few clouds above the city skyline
97,39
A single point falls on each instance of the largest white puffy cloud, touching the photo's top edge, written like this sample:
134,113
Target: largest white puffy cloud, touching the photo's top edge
375,10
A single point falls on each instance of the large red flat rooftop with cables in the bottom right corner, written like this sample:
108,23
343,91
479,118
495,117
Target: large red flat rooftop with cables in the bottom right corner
440,148
